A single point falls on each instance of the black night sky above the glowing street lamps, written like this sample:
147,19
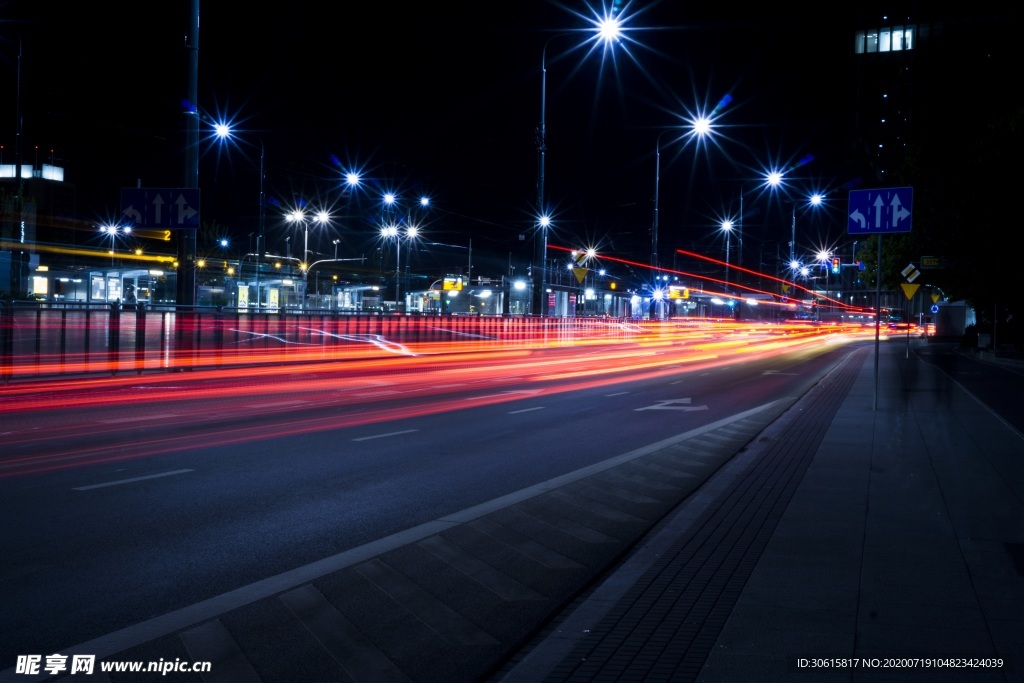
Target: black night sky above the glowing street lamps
438,99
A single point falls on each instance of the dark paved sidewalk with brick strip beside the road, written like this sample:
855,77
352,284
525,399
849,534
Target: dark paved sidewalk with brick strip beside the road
874,533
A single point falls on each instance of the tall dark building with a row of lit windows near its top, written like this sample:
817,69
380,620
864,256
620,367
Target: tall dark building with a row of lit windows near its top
918,69
